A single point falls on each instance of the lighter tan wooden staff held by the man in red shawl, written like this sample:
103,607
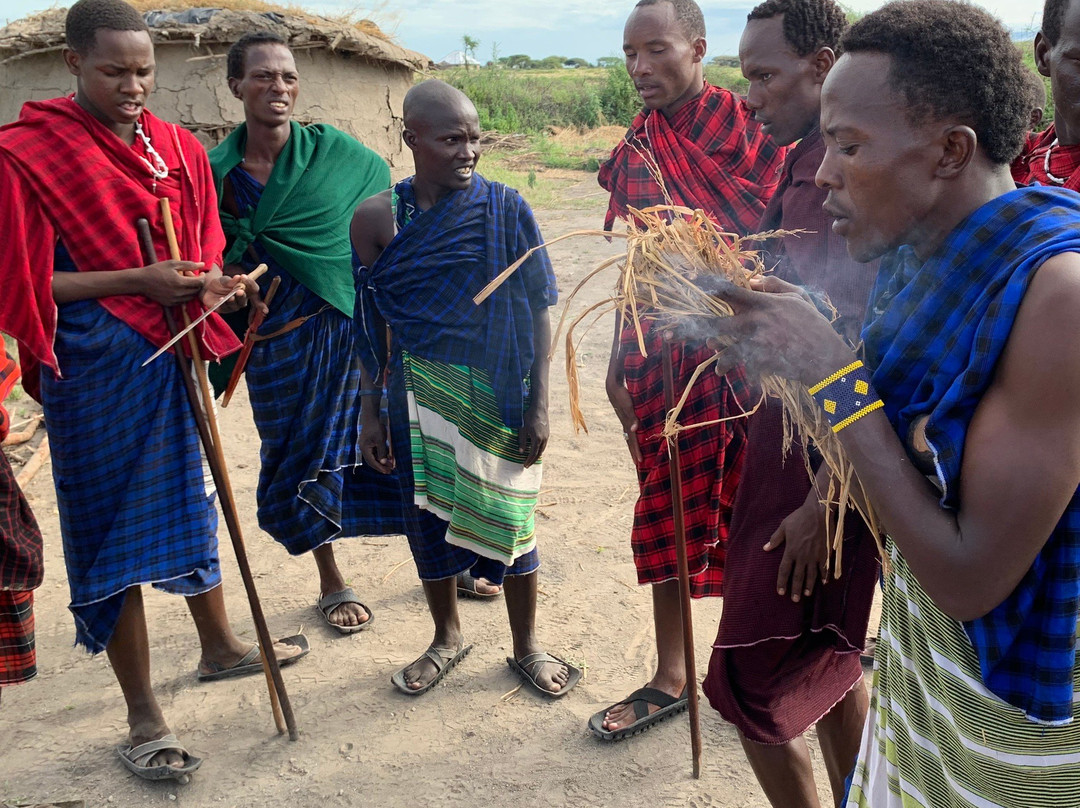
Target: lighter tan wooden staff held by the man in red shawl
215,457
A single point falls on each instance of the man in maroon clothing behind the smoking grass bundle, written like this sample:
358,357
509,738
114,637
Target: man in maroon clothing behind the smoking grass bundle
787,654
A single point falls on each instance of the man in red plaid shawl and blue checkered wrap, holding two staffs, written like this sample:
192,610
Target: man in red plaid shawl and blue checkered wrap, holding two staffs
76,173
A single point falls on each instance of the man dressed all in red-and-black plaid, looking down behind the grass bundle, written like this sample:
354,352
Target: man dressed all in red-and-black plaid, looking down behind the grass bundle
697,146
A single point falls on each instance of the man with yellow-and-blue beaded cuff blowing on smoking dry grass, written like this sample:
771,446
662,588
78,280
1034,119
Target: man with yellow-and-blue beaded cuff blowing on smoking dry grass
964,425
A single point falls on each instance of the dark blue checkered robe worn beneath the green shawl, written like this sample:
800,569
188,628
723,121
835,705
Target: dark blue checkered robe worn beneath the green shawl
305,393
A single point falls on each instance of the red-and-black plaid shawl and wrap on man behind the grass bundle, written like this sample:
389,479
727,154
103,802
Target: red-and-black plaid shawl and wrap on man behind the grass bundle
712,156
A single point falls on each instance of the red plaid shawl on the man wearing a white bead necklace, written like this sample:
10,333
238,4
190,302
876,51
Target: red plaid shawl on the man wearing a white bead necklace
64,176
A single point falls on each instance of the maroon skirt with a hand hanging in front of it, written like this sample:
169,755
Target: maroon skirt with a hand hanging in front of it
778,667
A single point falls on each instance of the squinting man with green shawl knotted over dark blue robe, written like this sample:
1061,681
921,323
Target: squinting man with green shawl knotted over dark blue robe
287,195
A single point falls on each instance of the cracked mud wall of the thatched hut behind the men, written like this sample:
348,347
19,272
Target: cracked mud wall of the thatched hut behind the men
357,96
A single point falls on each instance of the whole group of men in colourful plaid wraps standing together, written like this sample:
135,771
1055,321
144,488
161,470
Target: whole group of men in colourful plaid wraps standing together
389,403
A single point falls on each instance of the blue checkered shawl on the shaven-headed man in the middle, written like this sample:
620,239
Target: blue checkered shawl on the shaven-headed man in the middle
424,284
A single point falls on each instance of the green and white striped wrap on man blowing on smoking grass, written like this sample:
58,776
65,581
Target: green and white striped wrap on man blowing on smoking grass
937,737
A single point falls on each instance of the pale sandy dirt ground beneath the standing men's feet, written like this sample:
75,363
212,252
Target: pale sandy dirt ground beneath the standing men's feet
476,739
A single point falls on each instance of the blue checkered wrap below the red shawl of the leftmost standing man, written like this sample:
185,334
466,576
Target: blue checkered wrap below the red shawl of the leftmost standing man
128,467
